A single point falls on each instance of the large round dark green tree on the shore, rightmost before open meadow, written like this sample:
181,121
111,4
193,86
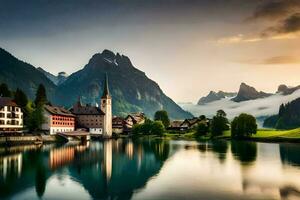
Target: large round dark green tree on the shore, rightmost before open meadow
243,126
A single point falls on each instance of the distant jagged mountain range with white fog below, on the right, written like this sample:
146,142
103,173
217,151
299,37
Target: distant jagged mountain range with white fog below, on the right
247,99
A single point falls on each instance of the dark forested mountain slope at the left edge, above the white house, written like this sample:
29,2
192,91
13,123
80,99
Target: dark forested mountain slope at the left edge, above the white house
18,74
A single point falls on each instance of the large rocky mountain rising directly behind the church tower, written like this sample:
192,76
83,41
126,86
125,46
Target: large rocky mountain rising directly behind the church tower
131,89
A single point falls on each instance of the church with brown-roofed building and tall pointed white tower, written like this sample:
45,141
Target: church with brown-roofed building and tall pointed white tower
96,120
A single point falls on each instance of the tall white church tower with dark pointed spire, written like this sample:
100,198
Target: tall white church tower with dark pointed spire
106,107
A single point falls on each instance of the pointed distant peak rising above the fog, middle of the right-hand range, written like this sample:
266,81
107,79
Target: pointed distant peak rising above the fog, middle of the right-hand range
247,92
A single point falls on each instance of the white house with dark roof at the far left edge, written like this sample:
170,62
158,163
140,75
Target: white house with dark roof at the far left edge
11,116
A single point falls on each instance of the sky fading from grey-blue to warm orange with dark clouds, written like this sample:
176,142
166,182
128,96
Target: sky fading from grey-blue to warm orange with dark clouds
188,47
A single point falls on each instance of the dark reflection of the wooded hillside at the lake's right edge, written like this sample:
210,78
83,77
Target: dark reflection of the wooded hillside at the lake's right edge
290,153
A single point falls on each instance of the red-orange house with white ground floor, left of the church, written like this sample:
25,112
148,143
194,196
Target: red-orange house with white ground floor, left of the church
58,119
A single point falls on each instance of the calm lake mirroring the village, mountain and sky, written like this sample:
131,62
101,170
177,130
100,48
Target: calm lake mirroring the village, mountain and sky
151,169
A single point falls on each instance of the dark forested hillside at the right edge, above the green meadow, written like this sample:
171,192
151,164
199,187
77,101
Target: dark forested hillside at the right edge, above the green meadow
288,116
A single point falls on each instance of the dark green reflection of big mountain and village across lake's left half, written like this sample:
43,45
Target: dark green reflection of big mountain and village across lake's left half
109,169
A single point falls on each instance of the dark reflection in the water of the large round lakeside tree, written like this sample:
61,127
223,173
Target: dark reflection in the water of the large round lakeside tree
245,152
